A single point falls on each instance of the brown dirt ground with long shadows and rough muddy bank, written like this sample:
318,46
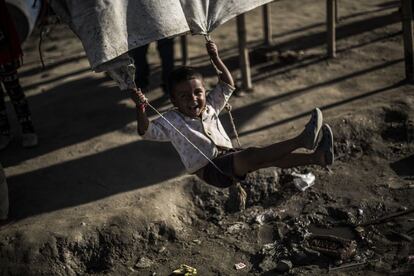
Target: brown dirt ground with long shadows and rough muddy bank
94,198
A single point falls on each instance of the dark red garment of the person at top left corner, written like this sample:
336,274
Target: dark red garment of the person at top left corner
10,49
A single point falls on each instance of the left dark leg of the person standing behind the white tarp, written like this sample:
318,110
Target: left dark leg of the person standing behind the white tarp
142,69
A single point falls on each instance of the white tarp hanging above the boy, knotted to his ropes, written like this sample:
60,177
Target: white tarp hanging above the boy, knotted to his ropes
109,28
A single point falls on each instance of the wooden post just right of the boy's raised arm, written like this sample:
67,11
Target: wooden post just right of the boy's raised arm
243,53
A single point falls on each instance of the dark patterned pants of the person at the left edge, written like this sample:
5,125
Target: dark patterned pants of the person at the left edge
10,80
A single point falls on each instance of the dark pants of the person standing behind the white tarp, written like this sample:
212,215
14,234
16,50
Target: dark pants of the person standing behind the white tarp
165,49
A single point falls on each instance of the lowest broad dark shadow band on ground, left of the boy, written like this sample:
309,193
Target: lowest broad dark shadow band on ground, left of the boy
90,178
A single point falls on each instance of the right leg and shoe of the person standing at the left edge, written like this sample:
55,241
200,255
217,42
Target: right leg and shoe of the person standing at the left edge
8,74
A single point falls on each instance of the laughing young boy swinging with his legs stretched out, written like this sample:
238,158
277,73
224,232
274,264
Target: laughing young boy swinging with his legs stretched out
210,155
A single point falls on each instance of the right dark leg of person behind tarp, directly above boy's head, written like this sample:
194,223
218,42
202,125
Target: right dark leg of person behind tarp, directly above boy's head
165,49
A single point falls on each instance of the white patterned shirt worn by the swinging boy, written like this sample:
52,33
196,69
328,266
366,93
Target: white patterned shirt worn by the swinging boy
206,132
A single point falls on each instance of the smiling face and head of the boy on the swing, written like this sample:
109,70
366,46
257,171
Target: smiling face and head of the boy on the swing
189,97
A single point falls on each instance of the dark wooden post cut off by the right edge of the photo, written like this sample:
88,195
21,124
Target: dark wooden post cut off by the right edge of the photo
407,26
